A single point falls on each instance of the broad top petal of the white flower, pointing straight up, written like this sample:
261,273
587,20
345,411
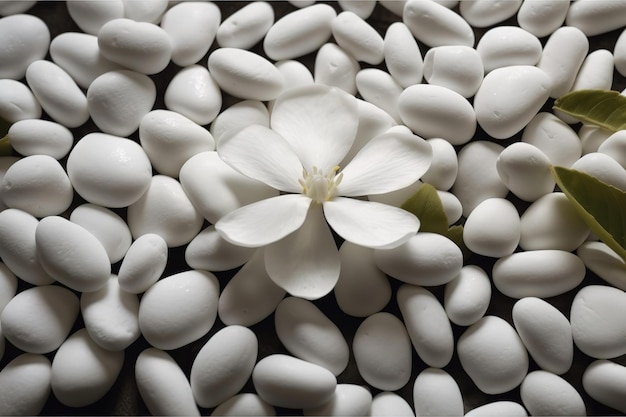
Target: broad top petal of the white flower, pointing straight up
319,122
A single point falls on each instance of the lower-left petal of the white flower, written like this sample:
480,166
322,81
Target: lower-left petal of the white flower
264,222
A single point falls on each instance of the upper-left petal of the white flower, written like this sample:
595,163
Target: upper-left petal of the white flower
260,153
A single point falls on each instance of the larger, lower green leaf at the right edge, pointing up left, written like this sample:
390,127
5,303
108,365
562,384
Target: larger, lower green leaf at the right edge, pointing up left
601,206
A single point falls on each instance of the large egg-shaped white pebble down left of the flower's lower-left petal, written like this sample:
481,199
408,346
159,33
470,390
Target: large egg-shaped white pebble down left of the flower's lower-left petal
179,309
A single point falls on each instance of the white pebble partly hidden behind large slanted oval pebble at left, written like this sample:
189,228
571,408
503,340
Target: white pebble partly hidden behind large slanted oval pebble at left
107,226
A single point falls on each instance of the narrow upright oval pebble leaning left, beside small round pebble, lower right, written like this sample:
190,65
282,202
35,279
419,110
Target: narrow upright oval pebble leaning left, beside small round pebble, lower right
427,325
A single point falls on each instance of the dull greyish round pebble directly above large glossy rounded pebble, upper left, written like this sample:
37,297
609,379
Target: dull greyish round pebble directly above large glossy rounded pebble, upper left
119,99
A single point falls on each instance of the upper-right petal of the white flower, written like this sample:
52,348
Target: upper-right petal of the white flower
388,162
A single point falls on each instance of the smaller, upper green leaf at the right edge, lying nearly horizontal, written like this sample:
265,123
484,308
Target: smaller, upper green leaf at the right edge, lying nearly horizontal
603,108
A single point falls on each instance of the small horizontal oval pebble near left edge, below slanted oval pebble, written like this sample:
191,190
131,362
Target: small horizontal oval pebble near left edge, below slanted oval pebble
40,137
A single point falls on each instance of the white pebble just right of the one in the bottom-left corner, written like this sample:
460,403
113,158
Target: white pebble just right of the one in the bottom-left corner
82,371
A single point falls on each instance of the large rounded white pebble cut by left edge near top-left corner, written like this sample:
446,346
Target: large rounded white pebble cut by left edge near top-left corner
25,40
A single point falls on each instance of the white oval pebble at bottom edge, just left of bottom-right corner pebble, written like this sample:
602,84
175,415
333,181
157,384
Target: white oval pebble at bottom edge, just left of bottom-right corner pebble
547,394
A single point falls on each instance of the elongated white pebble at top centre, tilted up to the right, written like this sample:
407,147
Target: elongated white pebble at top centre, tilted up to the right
300,32
